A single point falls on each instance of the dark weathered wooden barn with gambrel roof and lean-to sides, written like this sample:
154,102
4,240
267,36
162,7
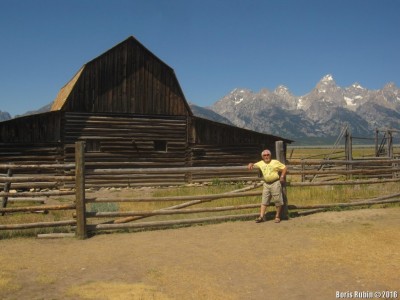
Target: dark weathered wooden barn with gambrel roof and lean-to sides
128,107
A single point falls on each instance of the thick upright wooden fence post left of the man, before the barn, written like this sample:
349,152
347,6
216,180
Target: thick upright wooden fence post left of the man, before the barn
81,231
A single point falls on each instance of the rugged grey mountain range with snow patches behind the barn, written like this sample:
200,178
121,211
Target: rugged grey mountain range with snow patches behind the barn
317,117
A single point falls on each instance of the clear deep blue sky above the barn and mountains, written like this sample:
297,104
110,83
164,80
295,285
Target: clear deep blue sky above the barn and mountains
214,46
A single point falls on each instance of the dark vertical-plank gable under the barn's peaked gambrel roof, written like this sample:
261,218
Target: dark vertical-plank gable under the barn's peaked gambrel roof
127,79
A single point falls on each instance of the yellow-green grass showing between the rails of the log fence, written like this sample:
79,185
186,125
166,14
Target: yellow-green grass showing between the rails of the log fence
296,196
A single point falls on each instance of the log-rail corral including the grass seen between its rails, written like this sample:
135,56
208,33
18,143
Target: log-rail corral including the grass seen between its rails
336,185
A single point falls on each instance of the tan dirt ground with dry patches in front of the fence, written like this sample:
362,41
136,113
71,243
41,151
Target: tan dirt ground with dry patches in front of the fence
310,257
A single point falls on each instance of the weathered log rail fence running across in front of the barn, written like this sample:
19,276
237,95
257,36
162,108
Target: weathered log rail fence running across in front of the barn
300,173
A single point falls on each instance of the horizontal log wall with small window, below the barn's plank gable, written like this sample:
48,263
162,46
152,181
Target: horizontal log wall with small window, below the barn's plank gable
126,141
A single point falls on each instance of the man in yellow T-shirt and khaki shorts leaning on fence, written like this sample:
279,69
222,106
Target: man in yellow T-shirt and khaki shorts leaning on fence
274,173
